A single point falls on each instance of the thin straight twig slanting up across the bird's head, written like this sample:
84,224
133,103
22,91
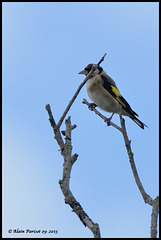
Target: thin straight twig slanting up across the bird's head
77,92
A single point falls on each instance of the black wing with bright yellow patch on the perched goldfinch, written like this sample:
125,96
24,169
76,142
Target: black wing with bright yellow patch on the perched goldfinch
111,87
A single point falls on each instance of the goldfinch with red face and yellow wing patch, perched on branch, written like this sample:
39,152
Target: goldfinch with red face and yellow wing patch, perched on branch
102,90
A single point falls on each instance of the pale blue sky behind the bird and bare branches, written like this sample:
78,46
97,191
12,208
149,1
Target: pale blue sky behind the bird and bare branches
44,46
